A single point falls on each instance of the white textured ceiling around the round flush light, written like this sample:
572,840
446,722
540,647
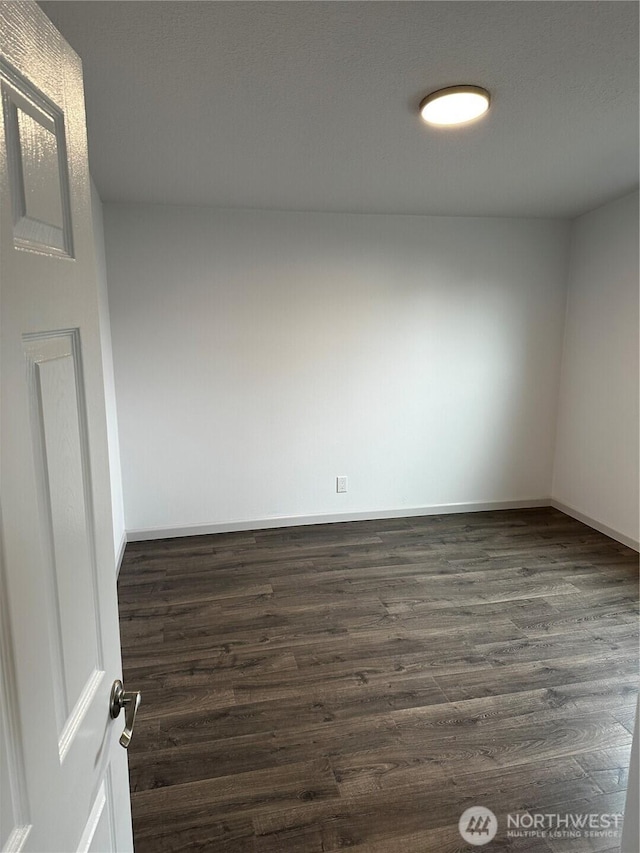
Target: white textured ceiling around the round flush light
313,105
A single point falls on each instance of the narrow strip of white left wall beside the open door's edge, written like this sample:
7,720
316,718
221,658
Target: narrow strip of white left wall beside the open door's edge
110,394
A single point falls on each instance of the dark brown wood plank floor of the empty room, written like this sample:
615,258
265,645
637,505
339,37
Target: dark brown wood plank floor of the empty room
360,685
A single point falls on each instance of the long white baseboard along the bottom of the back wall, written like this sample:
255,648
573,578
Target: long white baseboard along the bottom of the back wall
150,533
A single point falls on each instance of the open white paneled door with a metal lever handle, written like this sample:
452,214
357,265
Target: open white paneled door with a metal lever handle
63,777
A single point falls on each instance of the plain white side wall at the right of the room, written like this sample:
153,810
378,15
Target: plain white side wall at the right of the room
597,466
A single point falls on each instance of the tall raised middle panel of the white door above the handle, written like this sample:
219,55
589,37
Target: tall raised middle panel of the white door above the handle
60,440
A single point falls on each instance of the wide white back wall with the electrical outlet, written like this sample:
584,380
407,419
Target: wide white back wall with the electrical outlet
260,354
